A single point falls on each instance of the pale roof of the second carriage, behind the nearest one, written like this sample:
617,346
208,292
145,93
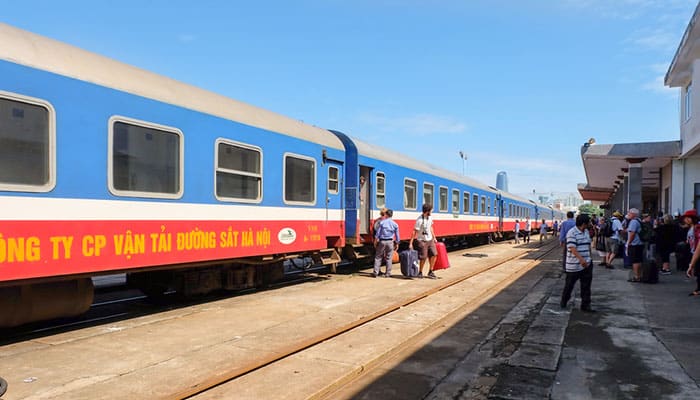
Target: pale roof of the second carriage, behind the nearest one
391,156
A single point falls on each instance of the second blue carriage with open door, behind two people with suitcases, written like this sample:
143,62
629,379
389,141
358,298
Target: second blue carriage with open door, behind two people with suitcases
462,208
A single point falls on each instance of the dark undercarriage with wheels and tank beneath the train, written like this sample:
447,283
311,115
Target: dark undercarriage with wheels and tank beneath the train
32,302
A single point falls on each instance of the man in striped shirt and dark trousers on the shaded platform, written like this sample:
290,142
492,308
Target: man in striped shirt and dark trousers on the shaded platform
579,265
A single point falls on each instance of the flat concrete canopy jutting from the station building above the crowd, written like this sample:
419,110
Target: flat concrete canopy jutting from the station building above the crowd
606,164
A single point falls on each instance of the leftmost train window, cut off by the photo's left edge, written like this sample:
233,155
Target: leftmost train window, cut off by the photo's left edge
27,150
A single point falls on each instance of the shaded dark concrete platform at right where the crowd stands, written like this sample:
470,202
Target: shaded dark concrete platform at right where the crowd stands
642,343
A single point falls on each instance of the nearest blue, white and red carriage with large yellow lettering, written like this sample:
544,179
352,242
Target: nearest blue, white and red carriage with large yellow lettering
108,168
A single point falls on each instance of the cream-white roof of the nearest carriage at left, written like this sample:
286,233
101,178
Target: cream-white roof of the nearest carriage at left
40,52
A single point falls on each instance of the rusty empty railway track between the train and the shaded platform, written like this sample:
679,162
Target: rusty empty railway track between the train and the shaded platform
226,382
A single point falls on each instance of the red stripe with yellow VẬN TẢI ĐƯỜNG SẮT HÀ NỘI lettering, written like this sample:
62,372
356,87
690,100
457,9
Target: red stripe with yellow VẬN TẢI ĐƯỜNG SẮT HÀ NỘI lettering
34,249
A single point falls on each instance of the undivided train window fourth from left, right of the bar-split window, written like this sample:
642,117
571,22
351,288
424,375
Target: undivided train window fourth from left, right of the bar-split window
299,179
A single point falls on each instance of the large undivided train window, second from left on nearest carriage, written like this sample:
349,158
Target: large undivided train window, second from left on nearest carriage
145,159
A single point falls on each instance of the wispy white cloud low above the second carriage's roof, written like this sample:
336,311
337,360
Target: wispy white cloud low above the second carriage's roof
415,125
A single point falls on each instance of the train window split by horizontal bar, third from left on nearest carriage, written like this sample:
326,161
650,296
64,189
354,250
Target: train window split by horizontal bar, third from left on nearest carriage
238,172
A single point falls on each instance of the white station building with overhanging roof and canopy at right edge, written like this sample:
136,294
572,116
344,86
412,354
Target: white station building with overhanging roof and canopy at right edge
654,176
